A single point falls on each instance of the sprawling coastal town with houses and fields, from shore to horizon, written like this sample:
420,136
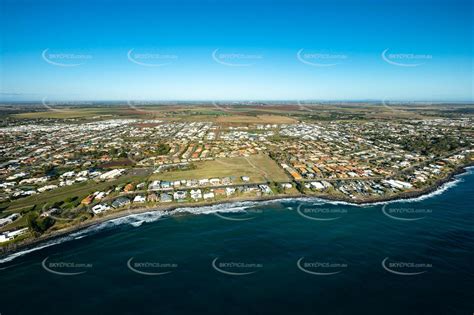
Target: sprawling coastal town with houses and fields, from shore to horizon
62,169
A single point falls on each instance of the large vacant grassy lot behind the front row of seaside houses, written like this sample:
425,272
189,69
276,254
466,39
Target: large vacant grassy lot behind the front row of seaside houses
258,167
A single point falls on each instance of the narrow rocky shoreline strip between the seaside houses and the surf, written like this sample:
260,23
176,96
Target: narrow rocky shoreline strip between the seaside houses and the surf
31,243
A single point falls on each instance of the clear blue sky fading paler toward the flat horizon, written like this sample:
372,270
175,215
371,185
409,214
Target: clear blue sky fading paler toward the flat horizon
392,50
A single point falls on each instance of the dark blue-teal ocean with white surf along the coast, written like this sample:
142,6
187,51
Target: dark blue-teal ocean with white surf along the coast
281,257
